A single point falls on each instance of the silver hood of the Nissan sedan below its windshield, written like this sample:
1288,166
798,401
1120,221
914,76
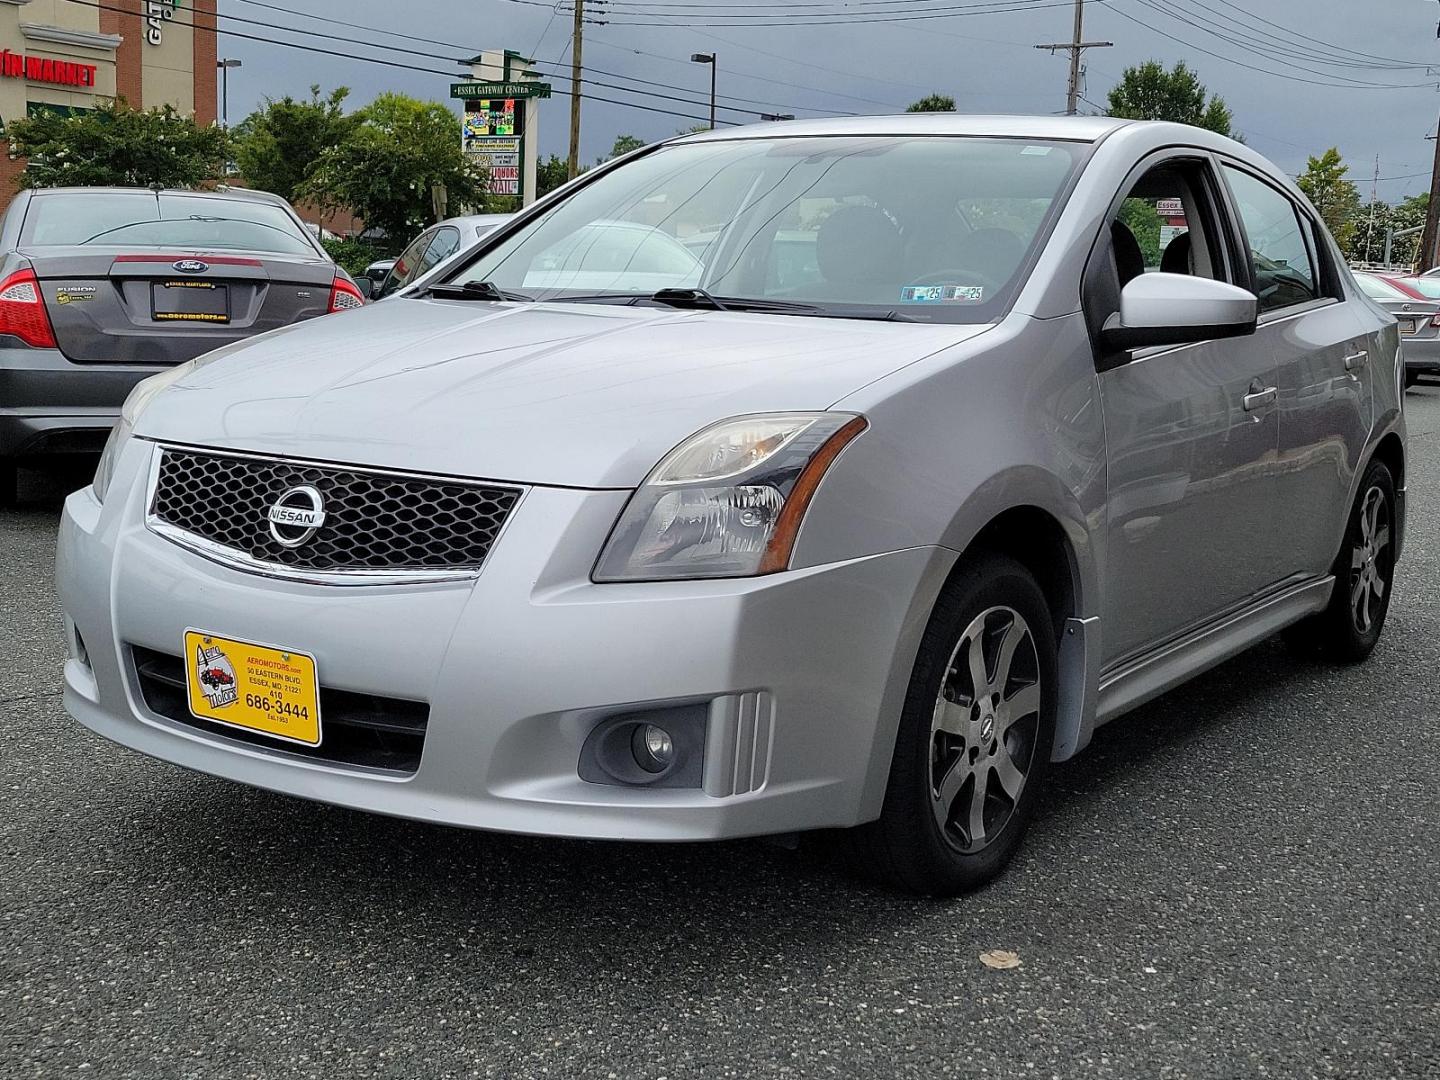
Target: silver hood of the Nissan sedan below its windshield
577,395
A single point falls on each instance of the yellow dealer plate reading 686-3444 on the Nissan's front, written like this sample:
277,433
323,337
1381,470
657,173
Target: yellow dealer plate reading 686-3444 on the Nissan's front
257,688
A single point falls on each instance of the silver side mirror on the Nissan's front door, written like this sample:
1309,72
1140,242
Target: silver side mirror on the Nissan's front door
1177,310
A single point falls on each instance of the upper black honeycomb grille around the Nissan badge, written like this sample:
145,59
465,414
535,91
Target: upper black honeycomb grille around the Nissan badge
374,521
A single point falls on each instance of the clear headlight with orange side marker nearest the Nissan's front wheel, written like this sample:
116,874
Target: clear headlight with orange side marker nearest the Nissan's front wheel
728,502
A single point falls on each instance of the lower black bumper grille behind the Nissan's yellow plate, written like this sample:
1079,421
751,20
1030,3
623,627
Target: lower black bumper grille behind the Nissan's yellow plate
356,729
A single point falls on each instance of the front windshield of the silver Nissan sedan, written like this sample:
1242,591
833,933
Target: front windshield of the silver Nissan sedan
935,228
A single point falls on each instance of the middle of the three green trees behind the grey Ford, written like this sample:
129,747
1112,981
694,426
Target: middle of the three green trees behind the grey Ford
279,145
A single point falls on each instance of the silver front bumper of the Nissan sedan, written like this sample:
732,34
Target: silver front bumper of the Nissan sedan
801,675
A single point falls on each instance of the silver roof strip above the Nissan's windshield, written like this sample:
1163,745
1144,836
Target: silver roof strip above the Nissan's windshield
1079,129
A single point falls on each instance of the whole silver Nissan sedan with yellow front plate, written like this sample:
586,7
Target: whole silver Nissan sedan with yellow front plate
834,474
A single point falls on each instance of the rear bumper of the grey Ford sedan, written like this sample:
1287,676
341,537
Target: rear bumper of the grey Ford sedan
51,405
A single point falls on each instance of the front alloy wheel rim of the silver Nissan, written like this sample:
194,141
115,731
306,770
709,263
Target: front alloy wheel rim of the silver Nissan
984,731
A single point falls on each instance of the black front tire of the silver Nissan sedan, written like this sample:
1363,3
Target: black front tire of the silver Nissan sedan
909,847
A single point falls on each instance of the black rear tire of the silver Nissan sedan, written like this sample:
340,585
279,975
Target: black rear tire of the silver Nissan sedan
1343,633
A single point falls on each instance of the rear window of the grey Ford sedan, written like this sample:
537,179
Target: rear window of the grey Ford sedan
143,220
